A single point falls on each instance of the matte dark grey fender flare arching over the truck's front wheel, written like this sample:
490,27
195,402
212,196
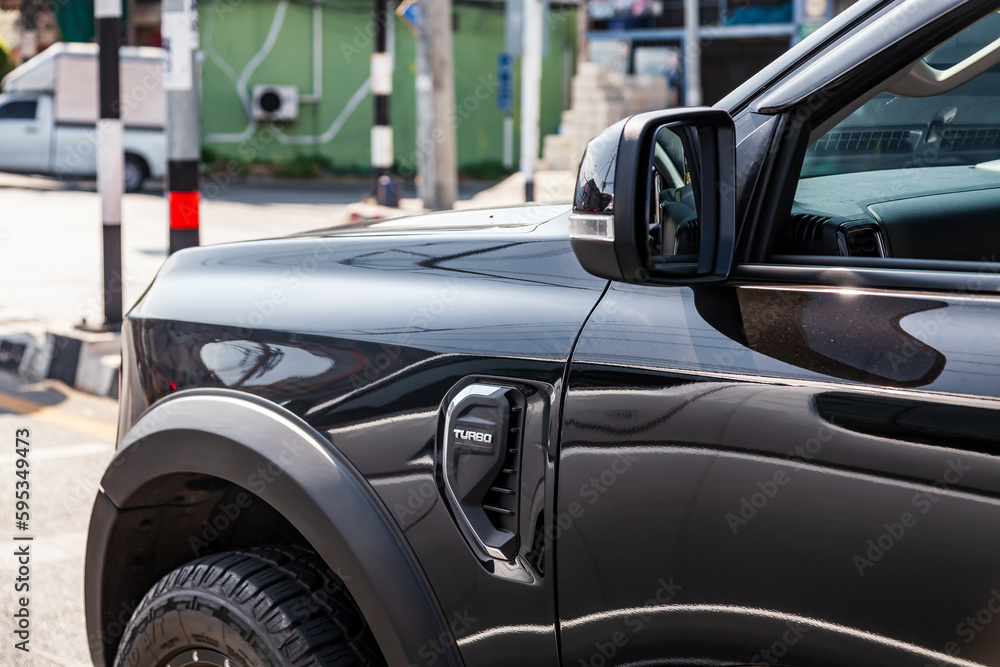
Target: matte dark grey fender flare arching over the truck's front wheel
232,435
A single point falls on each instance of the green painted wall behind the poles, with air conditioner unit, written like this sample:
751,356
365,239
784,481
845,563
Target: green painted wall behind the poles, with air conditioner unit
234,31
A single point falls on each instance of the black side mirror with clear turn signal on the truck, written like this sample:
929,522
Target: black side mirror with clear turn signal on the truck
655,199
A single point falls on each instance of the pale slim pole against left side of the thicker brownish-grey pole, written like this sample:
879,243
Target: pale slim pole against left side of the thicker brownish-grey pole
424,85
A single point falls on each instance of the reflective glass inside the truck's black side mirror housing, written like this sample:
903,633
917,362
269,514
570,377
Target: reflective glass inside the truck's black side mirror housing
674,230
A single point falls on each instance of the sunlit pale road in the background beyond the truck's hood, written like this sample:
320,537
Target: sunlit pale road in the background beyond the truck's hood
50,237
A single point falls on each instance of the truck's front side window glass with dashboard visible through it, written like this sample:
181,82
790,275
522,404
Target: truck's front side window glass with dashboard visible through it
914,172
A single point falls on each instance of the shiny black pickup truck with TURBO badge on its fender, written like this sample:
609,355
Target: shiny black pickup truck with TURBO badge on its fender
740,405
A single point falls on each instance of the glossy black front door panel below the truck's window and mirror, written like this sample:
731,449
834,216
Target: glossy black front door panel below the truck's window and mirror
781,476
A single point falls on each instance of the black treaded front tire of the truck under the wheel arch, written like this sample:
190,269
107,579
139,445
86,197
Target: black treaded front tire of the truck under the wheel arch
270,606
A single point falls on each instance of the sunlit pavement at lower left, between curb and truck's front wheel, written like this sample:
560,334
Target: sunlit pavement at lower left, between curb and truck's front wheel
71,440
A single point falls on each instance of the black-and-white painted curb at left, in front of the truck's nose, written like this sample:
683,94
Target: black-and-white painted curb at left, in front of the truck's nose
84,360
